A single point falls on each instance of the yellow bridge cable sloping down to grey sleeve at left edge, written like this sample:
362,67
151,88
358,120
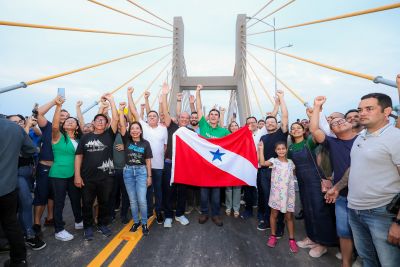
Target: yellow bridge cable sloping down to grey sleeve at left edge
26,84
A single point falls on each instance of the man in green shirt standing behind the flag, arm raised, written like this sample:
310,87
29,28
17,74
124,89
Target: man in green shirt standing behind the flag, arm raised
209,129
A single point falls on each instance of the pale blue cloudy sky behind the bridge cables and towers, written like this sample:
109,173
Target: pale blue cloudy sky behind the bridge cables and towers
368,44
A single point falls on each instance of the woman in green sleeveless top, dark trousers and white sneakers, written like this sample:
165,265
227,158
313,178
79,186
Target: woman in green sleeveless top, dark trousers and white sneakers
64,141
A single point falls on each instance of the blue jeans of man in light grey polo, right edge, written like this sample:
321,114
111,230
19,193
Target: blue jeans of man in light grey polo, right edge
370,229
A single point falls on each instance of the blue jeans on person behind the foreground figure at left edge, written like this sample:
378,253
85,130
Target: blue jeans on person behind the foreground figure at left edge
25,200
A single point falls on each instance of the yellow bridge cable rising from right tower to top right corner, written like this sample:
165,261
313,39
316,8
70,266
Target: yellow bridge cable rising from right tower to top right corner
348,15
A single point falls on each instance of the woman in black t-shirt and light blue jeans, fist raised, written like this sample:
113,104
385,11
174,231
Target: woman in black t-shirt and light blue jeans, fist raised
137,172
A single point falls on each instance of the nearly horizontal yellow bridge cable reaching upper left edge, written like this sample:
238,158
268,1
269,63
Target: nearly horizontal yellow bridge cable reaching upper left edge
60,28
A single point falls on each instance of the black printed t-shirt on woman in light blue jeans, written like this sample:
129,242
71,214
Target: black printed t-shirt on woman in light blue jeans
136,153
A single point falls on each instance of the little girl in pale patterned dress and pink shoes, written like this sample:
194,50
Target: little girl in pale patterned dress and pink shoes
282,194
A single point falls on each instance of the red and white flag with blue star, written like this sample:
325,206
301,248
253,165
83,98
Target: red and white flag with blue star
214,162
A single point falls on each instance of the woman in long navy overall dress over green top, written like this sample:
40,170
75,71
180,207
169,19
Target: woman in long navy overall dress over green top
319,217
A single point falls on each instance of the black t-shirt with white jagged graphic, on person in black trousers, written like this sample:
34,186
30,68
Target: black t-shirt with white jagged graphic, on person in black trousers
97,151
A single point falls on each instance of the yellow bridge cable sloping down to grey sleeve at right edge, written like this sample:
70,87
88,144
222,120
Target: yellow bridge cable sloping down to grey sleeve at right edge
376,79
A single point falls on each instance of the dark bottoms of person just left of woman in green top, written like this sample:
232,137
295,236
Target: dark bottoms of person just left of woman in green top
43,191
